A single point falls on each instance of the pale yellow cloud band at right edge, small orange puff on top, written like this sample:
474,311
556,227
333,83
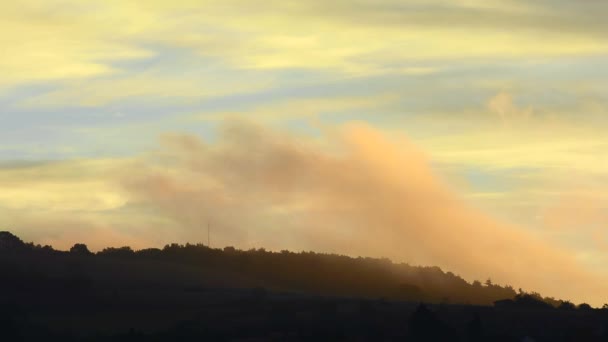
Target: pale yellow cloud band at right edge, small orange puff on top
506,135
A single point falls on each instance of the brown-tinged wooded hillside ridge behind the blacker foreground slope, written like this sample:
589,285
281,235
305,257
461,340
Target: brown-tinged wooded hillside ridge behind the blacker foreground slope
200,266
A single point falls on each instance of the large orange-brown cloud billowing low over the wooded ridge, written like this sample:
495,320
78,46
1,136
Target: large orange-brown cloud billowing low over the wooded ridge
369,196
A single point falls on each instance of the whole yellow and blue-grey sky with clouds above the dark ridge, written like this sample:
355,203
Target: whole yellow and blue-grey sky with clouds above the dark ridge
466,134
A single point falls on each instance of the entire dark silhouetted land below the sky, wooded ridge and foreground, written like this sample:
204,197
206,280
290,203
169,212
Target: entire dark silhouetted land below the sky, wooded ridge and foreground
194,293
